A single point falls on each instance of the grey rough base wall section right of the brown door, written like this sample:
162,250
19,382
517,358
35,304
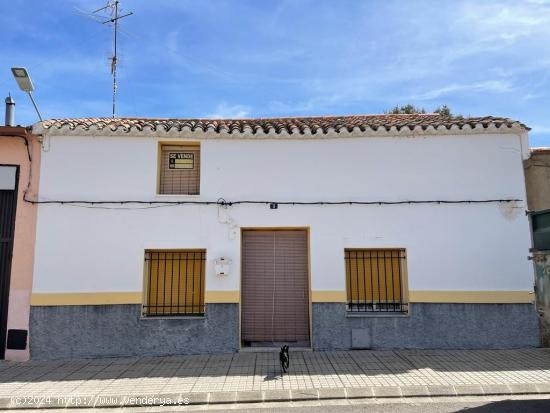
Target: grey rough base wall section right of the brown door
428,326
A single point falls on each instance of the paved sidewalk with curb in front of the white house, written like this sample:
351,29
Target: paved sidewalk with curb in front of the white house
256,377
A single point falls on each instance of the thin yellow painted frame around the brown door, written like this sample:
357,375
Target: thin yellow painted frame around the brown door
306,229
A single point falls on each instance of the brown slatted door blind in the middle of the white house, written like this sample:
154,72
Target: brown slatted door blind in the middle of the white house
275,287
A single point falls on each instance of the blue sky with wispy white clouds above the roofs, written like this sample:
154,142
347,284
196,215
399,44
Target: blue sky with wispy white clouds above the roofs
222,58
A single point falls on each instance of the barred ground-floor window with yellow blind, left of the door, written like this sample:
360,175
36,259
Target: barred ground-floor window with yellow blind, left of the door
174,282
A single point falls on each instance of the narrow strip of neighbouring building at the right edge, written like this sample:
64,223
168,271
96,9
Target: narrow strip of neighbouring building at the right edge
537,179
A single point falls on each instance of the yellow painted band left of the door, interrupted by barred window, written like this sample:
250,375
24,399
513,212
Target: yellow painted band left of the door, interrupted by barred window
50,299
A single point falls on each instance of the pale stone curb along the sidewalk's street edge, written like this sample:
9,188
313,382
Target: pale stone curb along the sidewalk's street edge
266,396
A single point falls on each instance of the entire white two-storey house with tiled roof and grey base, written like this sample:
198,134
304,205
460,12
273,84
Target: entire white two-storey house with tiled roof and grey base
199,236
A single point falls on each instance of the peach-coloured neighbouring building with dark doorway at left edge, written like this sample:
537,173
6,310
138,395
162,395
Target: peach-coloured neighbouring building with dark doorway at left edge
18,179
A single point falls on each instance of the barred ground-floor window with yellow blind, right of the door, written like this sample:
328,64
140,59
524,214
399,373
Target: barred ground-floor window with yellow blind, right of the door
375,280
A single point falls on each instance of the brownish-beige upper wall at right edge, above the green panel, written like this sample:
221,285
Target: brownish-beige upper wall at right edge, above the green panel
537,179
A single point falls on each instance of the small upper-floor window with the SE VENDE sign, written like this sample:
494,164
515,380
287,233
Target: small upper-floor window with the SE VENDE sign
179,170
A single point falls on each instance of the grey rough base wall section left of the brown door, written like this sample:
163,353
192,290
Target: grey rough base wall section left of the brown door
60,332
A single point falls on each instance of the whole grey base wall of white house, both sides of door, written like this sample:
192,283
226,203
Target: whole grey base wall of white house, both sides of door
64,332
